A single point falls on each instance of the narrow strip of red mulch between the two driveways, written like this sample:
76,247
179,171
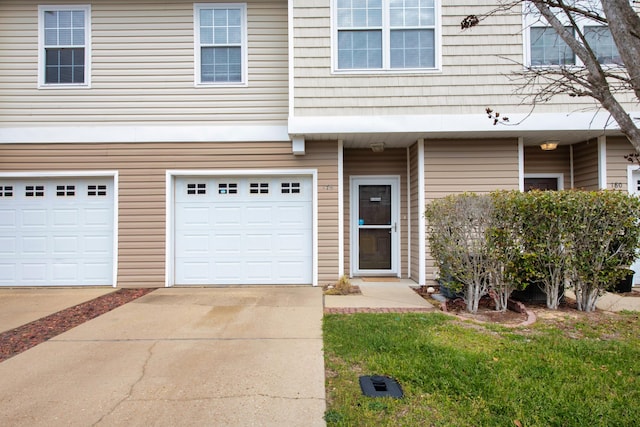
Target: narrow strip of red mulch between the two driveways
15,341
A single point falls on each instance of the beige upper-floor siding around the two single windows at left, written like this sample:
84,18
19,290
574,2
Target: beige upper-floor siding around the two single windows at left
143,68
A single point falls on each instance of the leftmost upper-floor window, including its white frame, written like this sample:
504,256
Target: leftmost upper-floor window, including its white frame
64,45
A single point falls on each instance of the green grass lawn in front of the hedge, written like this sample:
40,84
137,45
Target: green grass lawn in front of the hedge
574,371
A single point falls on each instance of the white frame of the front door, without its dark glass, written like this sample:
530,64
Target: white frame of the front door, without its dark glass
354,182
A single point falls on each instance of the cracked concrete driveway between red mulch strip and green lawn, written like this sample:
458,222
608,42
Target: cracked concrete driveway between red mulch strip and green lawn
178,356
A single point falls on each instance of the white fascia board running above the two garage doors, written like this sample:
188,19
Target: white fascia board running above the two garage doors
143,133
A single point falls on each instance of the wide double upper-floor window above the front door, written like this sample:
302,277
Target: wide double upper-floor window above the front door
386,34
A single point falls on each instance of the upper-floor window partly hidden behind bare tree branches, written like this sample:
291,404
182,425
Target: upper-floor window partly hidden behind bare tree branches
546,48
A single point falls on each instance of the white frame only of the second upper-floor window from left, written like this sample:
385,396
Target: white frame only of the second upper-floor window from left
197,7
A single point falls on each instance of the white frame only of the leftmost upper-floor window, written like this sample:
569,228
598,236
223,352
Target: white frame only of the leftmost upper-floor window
41,46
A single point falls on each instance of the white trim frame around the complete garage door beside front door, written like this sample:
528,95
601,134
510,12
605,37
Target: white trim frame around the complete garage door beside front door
171,176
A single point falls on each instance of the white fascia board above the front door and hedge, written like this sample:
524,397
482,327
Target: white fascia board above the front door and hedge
438,123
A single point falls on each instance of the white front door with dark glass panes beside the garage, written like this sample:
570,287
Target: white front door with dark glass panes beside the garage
375,226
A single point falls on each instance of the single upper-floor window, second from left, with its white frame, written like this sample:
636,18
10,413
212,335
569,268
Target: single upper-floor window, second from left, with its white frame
221,43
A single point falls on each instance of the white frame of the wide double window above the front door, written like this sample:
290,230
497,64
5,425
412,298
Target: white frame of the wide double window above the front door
386,44
